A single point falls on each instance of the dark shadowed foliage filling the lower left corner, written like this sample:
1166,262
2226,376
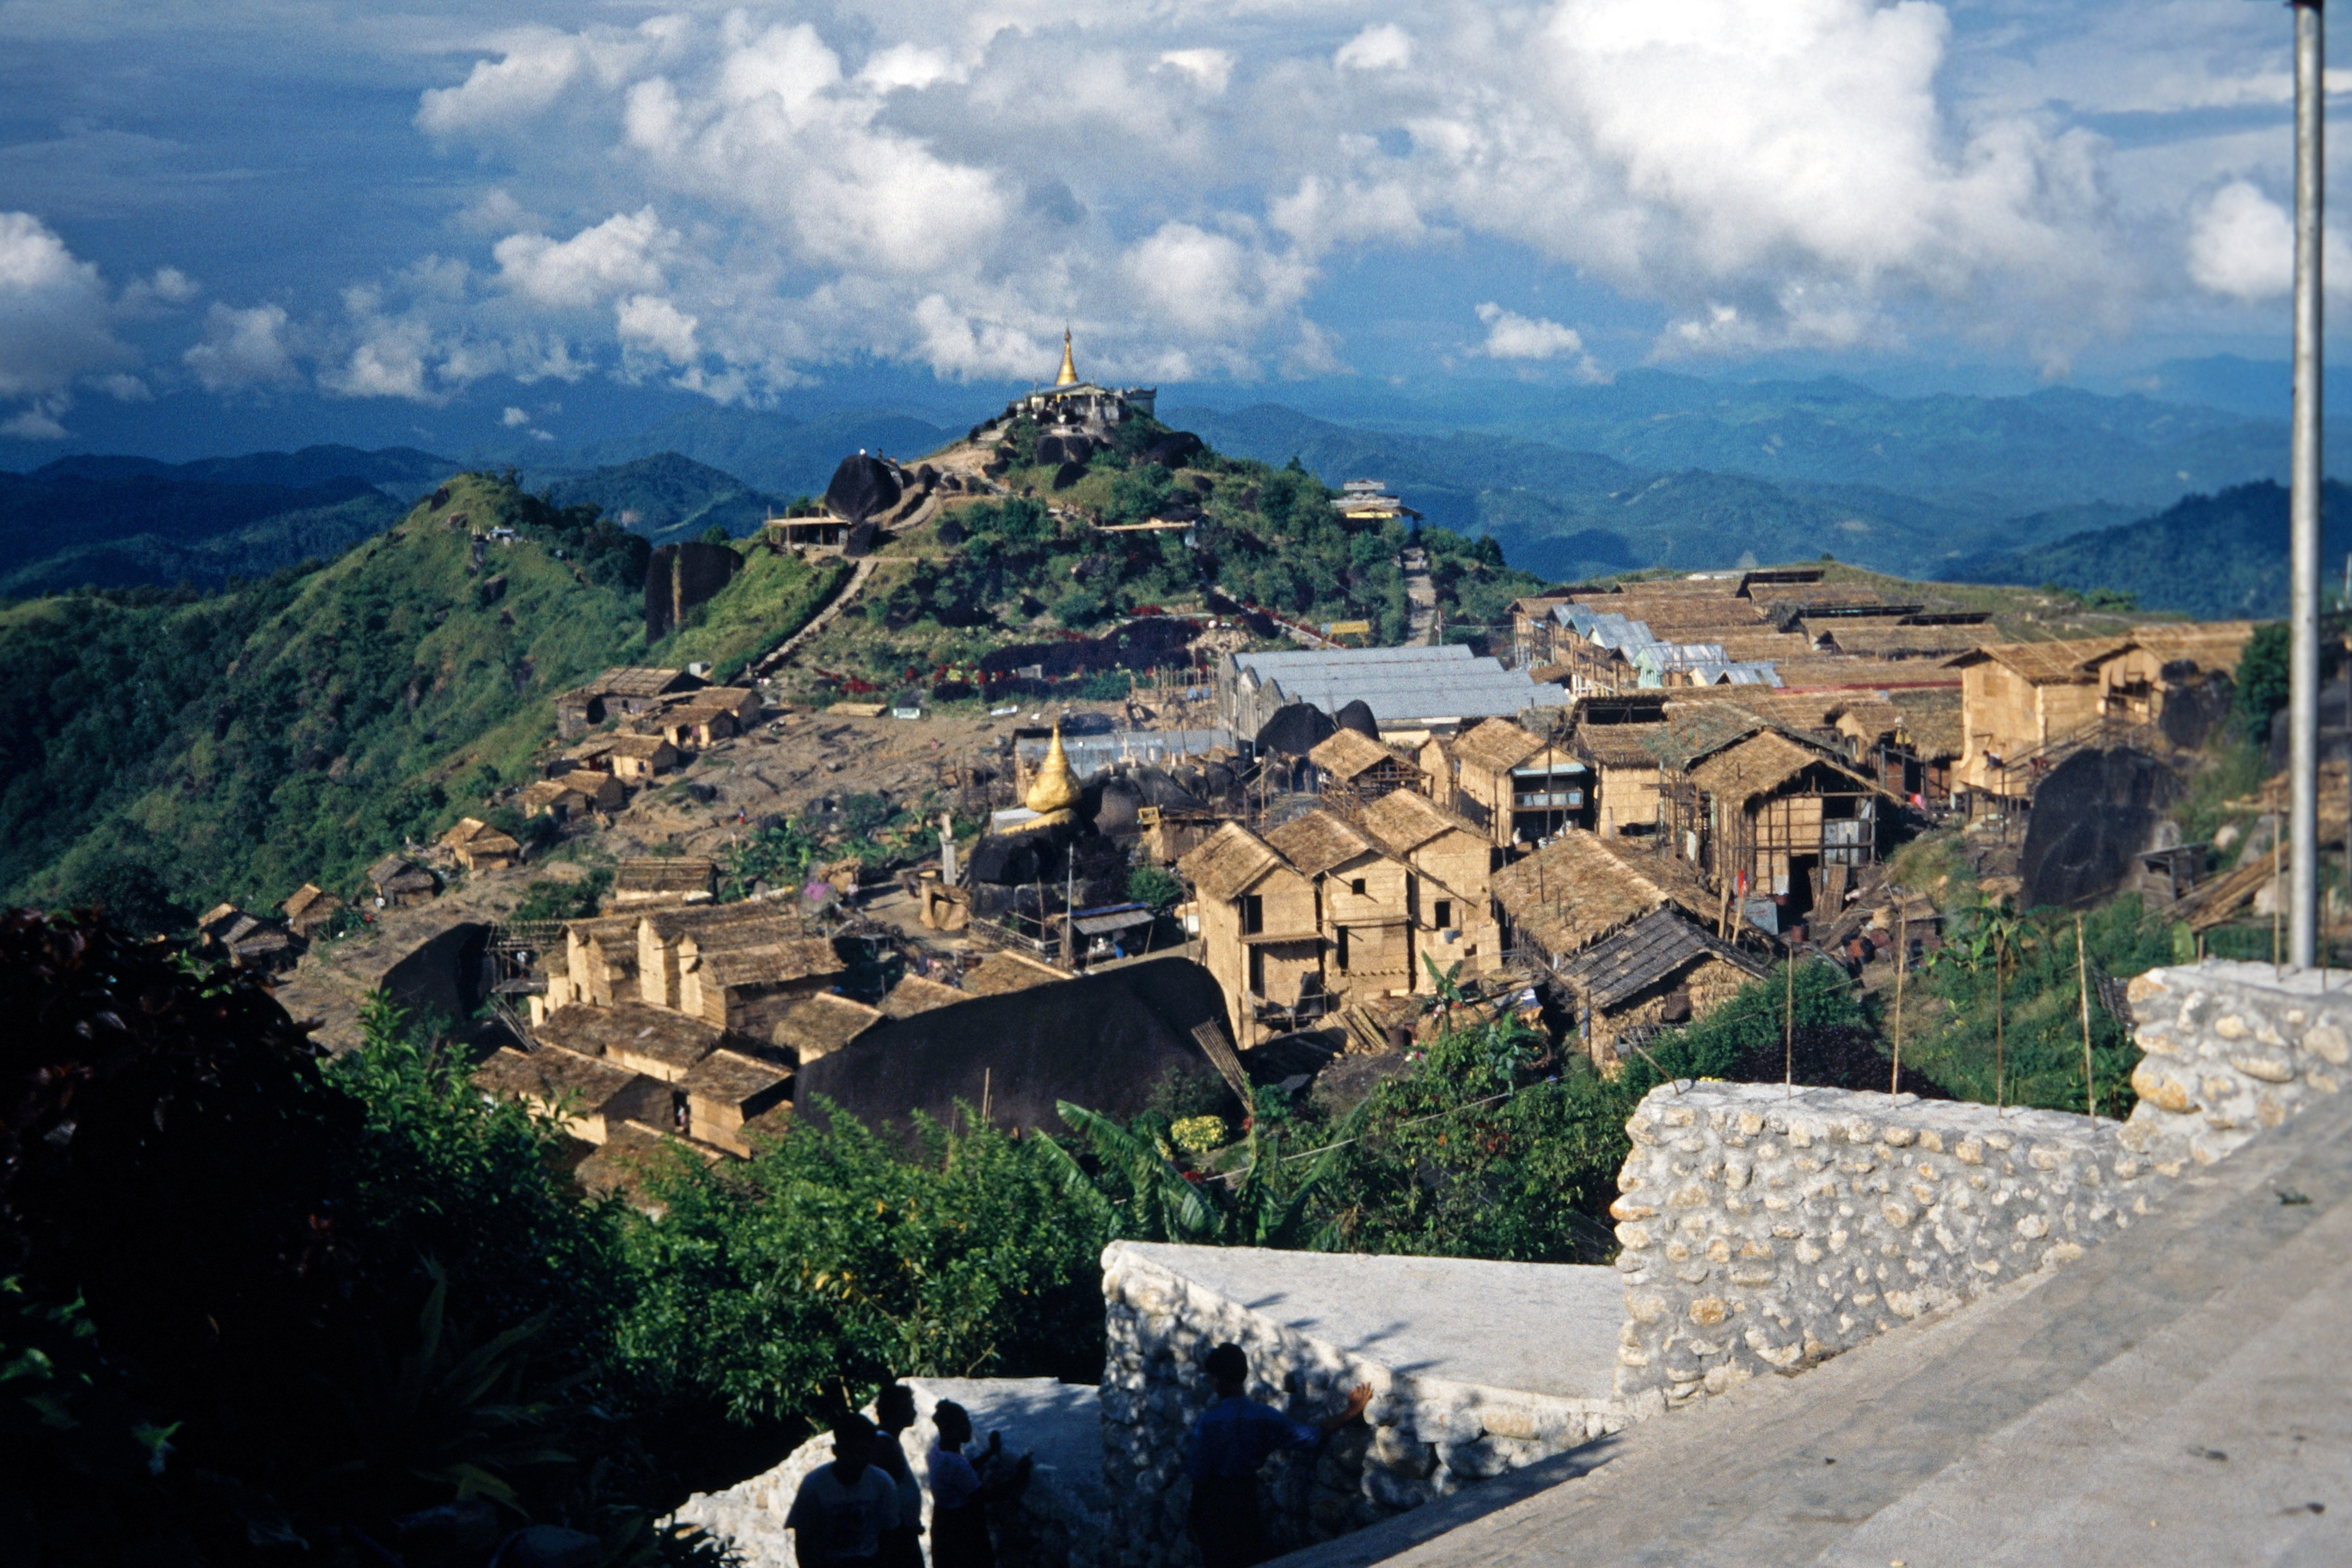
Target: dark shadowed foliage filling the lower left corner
262,1301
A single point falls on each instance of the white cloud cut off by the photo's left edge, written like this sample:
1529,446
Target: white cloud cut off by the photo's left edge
55,321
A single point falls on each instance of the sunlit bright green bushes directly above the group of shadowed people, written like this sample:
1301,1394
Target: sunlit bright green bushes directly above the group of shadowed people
801,1280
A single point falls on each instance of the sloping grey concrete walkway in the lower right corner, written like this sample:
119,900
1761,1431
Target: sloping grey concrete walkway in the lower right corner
2177,1398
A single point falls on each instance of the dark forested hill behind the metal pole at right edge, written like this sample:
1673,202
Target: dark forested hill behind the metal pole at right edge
2207,556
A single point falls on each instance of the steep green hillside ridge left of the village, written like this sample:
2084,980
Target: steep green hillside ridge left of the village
293,730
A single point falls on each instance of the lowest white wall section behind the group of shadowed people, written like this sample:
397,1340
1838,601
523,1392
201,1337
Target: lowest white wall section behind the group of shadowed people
1060,1522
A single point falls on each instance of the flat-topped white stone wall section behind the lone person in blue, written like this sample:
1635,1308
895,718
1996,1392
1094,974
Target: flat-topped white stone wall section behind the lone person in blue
1314,1329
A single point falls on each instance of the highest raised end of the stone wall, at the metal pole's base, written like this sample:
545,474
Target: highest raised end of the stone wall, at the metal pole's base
2231,1050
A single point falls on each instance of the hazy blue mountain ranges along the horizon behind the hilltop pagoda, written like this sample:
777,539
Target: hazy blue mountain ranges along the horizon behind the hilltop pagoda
1575,481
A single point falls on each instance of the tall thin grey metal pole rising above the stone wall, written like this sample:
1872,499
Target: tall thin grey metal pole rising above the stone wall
2304,561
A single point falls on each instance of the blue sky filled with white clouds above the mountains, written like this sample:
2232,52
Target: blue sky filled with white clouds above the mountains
523,208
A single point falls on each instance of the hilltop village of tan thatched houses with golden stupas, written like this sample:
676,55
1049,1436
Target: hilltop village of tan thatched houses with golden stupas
1281,857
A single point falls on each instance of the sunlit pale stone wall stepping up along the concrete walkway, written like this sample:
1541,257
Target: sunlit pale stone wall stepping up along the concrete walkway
1765,1231
